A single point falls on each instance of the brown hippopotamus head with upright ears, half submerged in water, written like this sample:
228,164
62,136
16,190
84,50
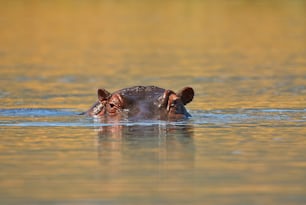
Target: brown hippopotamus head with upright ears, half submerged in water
142,102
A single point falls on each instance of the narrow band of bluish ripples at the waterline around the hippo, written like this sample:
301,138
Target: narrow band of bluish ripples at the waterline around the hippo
32,117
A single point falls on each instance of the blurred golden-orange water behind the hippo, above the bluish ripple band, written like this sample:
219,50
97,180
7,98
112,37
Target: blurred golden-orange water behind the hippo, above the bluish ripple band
234,53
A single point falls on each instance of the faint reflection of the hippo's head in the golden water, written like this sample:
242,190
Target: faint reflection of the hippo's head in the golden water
143,151
